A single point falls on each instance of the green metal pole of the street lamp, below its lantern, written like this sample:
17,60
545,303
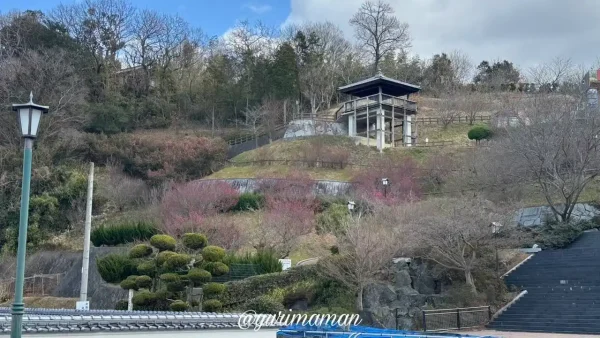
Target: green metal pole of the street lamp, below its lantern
18,307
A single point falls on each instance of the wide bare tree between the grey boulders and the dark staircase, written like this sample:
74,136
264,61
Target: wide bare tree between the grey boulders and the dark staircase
455,233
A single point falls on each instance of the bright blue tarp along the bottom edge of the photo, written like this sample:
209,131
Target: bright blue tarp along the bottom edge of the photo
330,331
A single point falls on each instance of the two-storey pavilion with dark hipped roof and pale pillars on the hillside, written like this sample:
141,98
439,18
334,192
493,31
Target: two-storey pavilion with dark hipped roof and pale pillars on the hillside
379,111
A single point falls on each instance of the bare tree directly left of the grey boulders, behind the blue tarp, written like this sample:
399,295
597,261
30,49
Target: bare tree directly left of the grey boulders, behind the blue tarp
367,246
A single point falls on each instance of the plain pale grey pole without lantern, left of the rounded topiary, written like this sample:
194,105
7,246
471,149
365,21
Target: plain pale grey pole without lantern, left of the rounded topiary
83,303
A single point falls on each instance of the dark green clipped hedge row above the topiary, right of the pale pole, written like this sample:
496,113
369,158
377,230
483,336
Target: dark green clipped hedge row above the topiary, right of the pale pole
126,232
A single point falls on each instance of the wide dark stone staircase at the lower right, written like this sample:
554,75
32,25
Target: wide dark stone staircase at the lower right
563,291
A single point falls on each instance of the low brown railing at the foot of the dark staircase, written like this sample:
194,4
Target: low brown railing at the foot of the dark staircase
456,319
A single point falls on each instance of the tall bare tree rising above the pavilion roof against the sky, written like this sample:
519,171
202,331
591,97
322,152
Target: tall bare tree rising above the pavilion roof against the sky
379,30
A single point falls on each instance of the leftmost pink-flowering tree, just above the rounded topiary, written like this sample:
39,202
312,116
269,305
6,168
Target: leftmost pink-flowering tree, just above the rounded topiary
187,205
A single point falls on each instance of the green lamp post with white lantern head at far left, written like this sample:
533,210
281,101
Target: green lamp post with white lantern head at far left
28,115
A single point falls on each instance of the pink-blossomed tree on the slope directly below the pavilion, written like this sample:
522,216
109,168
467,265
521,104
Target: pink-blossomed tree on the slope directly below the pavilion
402,180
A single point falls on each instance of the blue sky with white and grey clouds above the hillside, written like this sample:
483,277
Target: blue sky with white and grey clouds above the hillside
525,32
